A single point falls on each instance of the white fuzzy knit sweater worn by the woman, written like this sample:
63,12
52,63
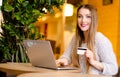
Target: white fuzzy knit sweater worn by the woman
104,53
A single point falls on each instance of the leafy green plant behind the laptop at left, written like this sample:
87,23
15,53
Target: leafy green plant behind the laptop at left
19,17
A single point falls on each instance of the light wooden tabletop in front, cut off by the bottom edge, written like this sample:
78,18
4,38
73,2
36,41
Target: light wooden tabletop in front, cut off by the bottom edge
57,74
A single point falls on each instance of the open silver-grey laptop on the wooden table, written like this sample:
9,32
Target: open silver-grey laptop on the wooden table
41,54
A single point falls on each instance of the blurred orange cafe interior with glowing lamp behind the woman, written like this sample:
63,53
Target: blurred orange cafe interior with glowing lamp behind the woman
60,28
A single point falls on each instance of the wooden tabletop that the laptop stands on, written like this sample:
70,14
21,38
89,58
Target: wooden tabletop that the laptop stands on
19,68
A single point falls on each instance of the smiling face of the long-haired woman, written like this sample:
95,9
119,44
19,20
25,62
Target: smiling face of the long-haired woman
84,19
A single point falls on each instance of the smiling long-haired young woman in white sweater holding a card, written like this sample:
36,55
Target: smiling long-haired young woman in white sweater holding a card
99,58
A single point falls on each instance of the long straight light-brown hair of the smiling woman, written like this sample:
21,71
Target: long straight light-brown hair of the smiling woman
80,36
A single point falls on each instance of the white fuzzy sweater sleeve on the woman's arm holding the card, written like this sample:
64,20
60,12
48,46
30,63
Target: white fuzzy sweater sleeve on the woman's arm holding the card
106,55
